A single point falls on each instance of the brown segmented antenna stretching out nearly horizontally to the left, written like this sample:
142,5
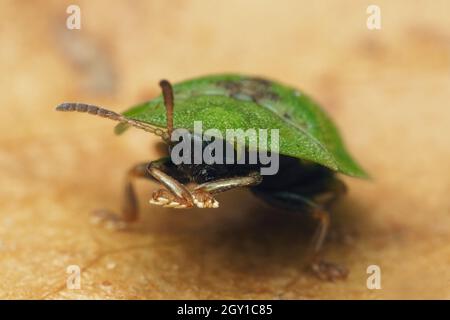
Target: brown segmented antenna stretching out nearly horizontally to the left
98,111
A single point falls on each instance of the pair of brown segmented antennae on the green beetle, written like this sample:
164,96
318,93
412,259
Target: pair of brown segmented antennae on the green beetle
165,134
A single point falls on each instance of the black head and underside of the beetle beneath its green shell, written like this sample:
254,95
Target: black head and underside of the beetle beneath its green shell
296,184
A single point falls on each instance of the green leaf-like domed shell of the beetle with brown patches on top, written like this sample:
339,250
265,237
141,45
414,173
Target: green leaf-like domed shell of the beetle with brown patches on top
240,102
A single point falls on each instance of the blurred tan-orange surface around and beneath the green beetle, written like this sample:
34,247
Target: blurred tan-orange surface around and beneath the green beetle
388,90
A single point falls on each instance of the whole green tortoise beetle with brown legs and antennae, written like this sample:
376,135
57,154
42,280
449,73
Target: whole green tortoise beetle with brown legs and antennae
310,149
